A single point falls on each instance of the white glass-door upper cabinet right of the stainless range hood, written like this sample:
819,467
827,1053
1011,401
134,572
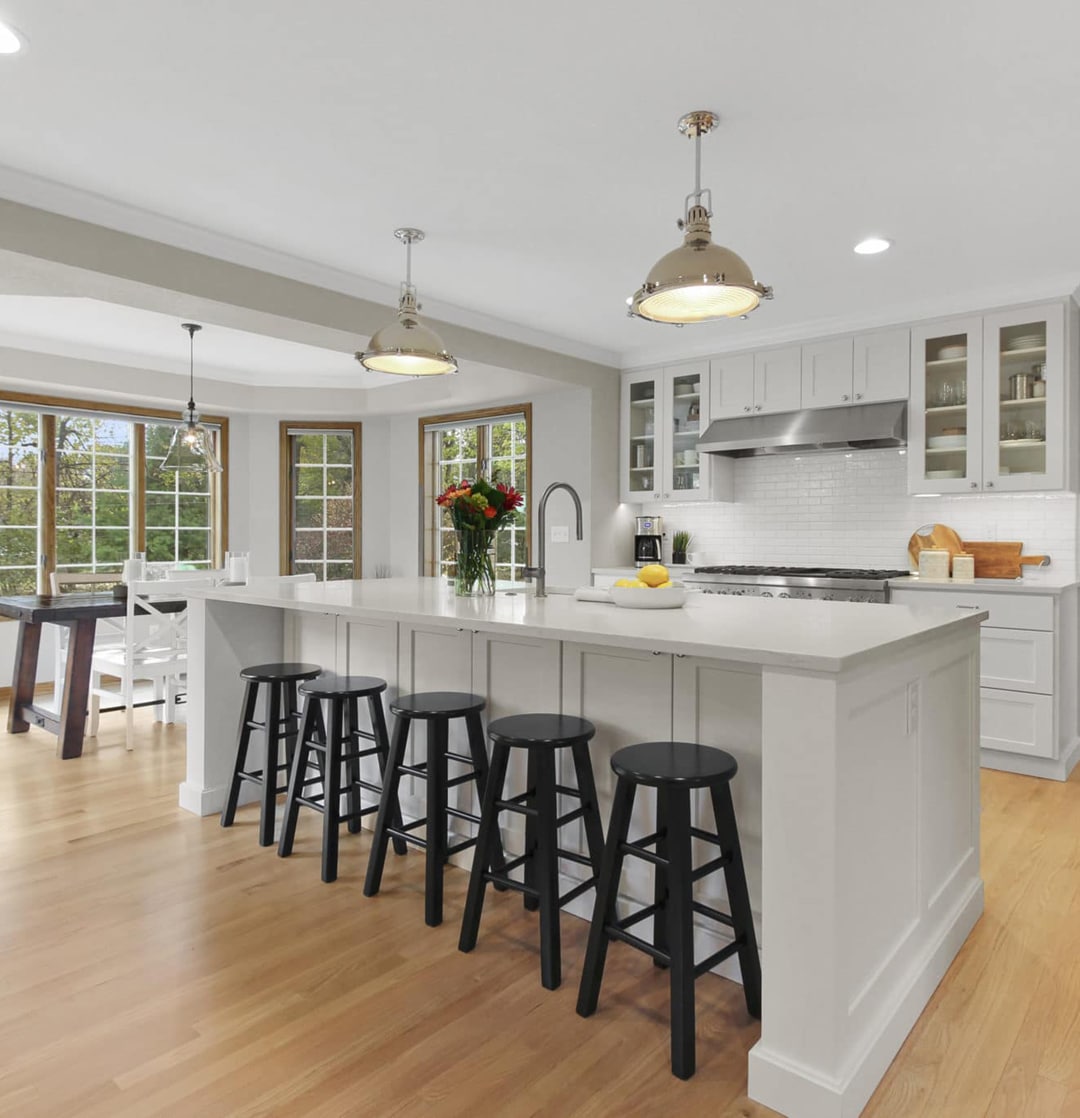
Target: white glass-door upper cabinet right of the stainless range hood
989,404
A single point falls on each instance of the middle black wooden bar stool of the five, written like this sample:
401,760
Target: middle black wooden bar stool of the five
437,708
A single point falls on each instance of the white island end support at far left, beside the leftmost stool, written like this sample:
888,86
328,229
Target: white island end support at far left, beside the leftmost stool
223,639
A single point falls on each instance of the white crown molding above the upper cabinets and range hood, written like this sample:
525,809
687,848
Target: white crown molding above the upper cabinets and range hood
706,343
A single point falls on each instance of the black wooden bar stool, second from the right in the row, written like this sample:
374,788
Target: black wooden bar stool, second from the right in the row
543,735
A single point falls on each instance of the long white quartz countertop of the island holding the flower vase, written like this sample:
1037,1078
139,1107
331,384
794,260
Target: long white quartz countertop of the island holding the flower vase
827,637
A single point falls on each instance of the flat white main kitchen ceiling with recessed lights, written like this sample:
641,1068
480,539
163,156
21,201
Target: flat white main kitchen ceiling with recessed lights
536,145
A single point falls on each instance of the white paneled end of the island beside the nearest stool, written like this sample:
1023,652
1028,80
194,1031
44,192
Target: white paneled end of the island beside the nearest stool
870,869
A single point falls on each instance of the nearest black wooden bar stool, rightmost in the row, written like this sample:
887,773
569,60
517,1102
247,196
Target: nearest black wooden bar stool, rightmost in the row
675,770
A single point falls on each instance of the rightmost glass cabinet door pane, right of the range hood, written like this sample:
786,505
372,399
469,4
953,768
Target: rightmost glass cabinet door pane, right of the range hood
1021,357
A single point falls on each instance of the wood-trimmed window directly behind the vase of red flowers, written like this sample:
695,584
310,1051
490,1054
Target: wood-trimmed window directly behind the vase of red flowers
496,444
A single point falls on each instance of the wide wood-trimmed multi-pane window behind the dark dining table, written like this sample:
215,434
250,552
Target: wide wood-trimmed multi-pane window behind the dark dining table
81,490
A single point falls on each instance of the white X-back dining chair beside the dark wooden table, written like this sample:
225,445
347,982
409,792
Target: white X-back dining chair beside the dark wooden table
155,650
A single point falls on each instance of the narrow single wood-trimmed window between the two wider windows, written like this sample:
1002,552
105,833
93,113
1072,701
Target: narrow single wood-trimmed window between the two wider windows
320,511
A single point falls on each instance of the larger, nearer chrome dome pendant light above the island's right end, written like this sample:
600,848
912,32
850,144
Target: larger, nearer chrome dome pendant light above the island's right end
699,281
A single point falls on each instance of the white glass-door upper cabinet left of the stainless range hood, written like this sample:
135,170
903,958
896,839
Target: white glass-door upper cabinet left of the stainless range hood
665,412
